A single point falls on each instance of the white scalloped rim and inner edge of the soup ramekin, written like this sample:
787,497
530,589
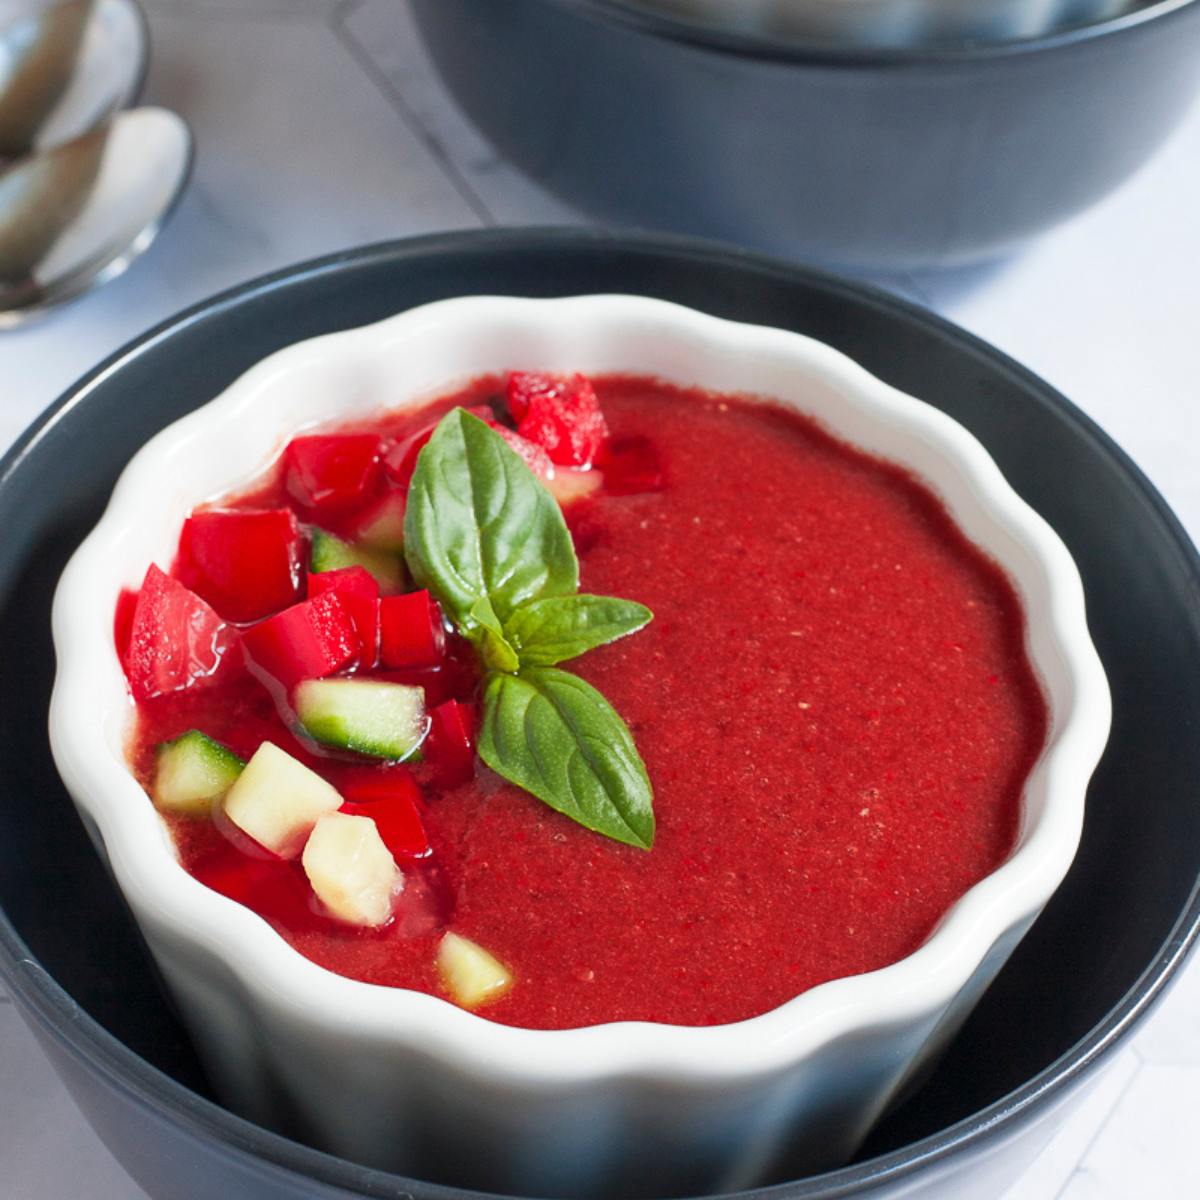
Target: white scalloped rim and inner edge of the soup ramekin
395,363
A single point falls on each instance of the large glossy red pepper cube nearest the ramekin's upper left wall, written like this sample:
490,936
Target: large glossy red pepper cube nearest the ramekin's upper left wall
247,563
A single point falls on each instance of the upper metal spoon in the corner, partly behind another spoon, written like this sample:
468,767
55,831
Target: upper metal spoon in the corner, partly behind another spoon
67,68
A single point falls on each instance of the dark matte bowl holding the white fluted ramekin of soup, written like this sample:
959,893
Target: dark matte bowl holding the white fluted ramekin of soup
1108,944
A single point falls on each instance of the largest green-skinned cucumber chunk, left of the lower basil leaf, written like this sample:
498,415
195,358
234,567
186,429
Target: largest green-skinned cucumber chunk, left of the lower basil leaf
382,719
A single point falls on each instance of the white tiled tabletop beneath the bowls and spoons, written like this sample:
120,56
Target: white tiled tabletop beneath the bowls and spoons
320,127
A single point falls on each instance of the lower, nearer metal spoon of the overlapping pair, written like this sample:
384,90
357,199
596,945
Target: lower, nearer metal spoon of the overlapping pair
77,215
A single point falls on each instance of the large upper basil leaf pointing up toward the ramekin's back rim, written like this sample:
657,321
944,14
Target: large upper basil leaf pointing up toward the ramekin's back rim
479,527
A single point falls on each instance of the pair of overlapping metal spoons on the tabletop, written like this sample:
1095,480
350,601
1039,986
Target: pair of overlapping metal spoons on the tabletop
86,182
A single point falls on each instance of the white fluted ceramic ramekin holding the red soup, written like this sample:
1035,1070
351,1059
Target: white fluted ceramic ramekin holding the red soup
409,1082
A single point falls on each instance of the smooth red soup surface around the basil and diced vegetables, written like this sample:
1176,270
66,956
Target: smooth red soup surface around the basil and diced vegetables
833,705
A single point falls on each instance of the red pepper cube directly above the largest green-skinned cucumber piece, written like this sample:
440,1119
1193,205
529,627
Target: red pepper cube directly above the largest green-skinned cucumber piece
308,641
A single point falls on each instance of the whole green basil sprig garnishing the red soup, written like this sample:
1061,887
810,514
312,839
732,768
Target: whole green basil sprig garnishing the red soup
490,543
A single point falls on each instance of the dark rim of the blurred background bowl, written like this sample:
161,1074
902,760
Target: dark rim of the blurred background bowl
631,15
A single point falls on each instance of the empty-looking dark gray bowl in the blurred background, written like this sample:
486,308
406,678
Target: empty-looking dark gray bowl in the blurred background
874,158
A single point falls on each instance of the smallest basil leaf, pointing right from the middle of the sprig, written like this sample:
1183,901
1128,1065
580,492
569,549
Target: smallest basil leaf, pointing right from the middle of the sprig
548,632
